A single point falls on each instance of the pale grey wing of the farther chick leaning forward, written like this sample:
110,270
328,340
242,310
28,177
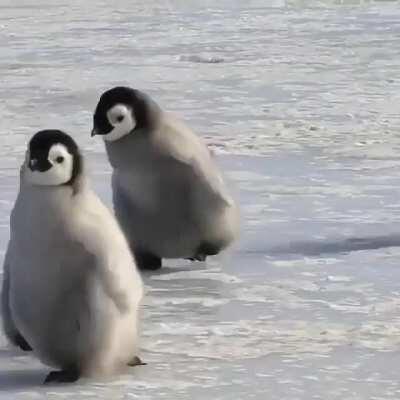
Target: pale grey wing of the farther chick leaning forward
187,154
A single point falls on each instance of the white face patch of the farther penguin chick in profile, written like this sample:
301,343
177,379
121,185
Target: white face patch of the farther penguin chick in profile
123,121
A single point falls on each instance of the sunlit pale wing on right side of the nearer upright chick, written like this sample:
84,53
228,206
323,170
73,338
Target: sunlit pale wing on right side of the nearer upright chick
100,235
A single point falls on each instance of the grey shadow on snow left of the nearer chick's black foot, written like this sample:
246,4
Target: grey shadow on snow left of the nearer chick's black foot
19,379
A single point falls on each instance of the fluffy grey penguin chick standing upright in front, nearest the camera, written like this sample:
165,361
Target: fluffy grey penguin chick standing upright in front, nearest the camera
71,289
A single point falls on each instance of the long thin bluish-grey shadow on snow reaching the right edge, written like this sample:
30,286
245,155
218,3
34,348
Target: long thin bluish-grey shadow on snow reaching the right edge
347,245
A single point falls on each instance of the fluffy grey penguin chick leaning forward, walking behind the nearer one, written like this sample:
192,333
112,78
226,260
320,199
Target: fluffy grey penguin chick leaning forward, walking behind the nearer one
168,194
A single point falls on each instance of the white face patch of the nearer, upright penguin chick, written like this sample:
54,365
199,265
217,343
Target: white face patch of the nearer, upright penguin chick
60,171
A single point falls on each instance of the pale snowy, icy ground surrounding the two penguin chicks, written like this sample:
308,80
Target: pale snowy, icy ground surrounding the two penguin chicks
301,100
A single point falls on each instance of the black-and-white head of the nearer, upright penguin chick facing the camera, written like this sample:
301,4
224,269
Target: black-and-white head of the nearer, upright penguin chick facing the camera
52,159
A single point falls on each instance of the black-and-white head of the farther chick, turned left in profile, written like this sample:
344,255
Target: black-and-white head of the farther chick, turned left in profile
120,111
